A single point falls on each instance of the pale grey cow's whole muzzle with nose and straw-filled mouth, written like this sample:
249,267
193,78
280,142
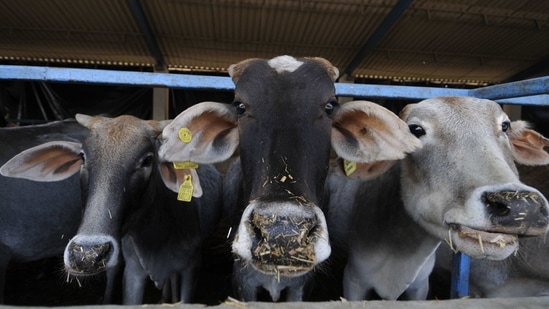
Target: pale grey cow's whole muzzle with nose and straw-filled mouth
506,213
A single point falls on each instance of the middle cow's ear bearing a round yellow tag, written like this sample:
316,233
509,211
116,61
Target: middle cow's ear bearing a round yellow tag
204,133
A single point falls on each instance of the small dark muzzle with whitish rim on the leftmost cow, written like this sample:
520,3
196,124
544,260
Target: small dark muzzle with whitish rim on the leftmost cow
89,255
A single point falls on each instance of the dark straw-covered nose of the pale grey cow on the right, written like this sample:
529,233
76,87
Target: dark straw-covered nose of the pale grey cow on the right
517,212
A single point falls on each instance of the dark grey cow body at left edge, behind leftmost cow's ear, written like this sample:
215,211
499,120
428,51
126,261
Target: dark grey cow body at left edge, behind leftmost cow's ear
36,219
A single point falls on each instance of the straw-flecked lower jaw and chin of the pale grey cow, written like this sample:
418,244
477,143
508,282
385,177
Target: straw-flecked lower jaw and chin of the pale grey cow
482,244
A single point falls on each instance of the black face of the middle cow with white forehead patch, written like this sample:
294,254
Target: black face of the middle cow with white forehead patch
283,224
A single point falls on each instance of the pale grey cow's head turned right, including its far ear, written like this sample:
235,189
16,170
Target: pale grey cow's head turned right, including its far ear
463,186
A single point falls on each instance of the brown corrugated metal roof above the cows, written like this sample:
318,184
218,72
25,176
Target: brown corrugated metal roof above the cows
450,41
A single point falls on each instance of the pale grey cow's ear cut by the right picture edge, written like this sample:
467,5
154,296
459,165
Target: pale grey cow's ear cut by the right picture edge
527,146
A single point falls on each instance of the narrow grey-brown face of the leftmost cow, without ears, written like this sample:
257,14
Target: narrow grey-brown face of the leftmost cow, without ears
117,163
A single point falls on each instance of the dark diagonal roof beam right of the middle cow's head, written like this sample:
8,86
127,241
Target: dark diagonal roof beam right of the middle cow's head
382,30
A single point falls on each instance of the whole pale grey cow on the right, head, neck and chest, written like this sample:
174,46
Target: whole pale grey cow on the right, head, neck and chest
461,188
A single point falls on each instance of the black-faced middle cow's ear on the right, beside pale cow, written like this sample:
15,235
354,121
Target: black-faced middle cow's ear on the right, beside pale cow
363,132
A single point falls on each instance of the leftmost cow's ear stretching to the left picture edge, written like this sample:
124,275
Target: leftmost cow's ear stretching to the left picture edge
53,161
